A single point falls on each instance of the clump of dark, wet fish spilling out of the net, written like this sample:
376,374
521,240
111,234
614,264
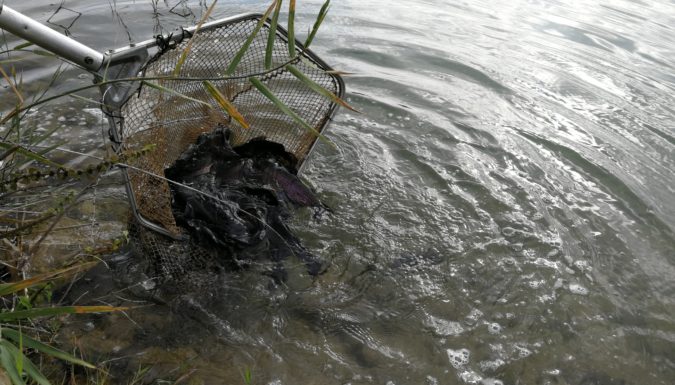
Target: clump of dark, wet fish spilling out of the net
235,201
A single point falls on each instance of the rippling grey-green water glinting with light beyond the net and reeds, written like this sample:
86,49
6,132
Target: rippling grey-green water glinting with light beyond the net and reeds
504,205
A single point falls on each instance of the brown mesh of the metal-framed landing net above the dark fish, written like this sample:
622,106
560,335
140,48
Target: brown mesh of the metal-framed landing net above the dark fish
173,122
